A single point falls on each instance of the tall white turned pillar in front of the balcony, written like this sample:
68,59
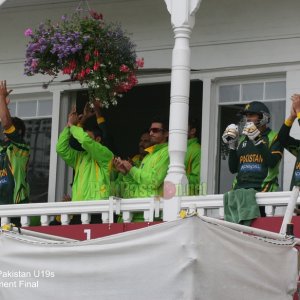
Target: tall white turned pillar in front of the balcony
183,20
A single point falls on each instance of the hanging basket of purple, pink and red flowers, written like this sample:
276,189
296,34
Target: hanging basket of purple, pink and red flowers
97,54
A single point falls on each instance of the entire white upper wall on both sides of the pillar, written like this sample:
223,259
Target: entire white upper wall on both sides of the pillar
227,33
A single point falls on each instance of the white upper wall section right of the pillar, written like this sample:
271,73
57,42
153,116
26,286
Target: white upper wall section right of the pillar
232,33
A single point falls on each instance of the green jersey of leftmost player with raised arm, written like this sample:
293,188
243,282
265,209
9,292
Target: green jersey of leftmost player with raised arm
14,158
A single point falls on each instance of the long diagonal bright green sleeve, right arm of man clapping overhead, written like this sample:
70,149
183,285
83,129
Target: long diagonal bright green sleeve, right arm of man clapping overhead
97,151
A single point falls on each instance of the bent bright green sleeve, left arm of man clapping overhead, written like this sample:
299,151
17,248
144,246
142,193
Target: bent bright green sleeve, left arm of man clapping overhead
64,150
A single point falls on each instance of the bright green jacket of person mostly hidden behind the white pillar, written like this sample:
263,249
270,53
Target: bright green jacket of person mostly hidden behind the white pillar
193,165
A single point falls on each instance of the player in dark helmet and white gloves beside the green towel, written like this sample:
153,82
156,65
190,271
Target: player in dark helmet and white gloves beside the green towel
256,155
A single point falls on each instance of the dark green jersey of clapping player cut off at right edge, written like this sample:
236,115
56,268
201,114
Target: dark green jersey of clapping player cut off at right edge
293,146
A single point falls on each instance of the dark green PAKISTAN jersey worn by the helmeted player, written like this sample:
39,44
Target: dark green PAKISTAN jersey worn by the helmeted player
257,167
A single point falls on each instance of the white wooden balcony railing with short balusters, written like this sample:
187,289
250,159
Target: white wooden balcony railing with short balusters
209,205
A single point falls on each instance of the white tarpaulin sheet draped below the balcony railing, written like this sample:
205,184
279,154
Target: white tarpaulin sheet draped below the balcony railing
185,259
